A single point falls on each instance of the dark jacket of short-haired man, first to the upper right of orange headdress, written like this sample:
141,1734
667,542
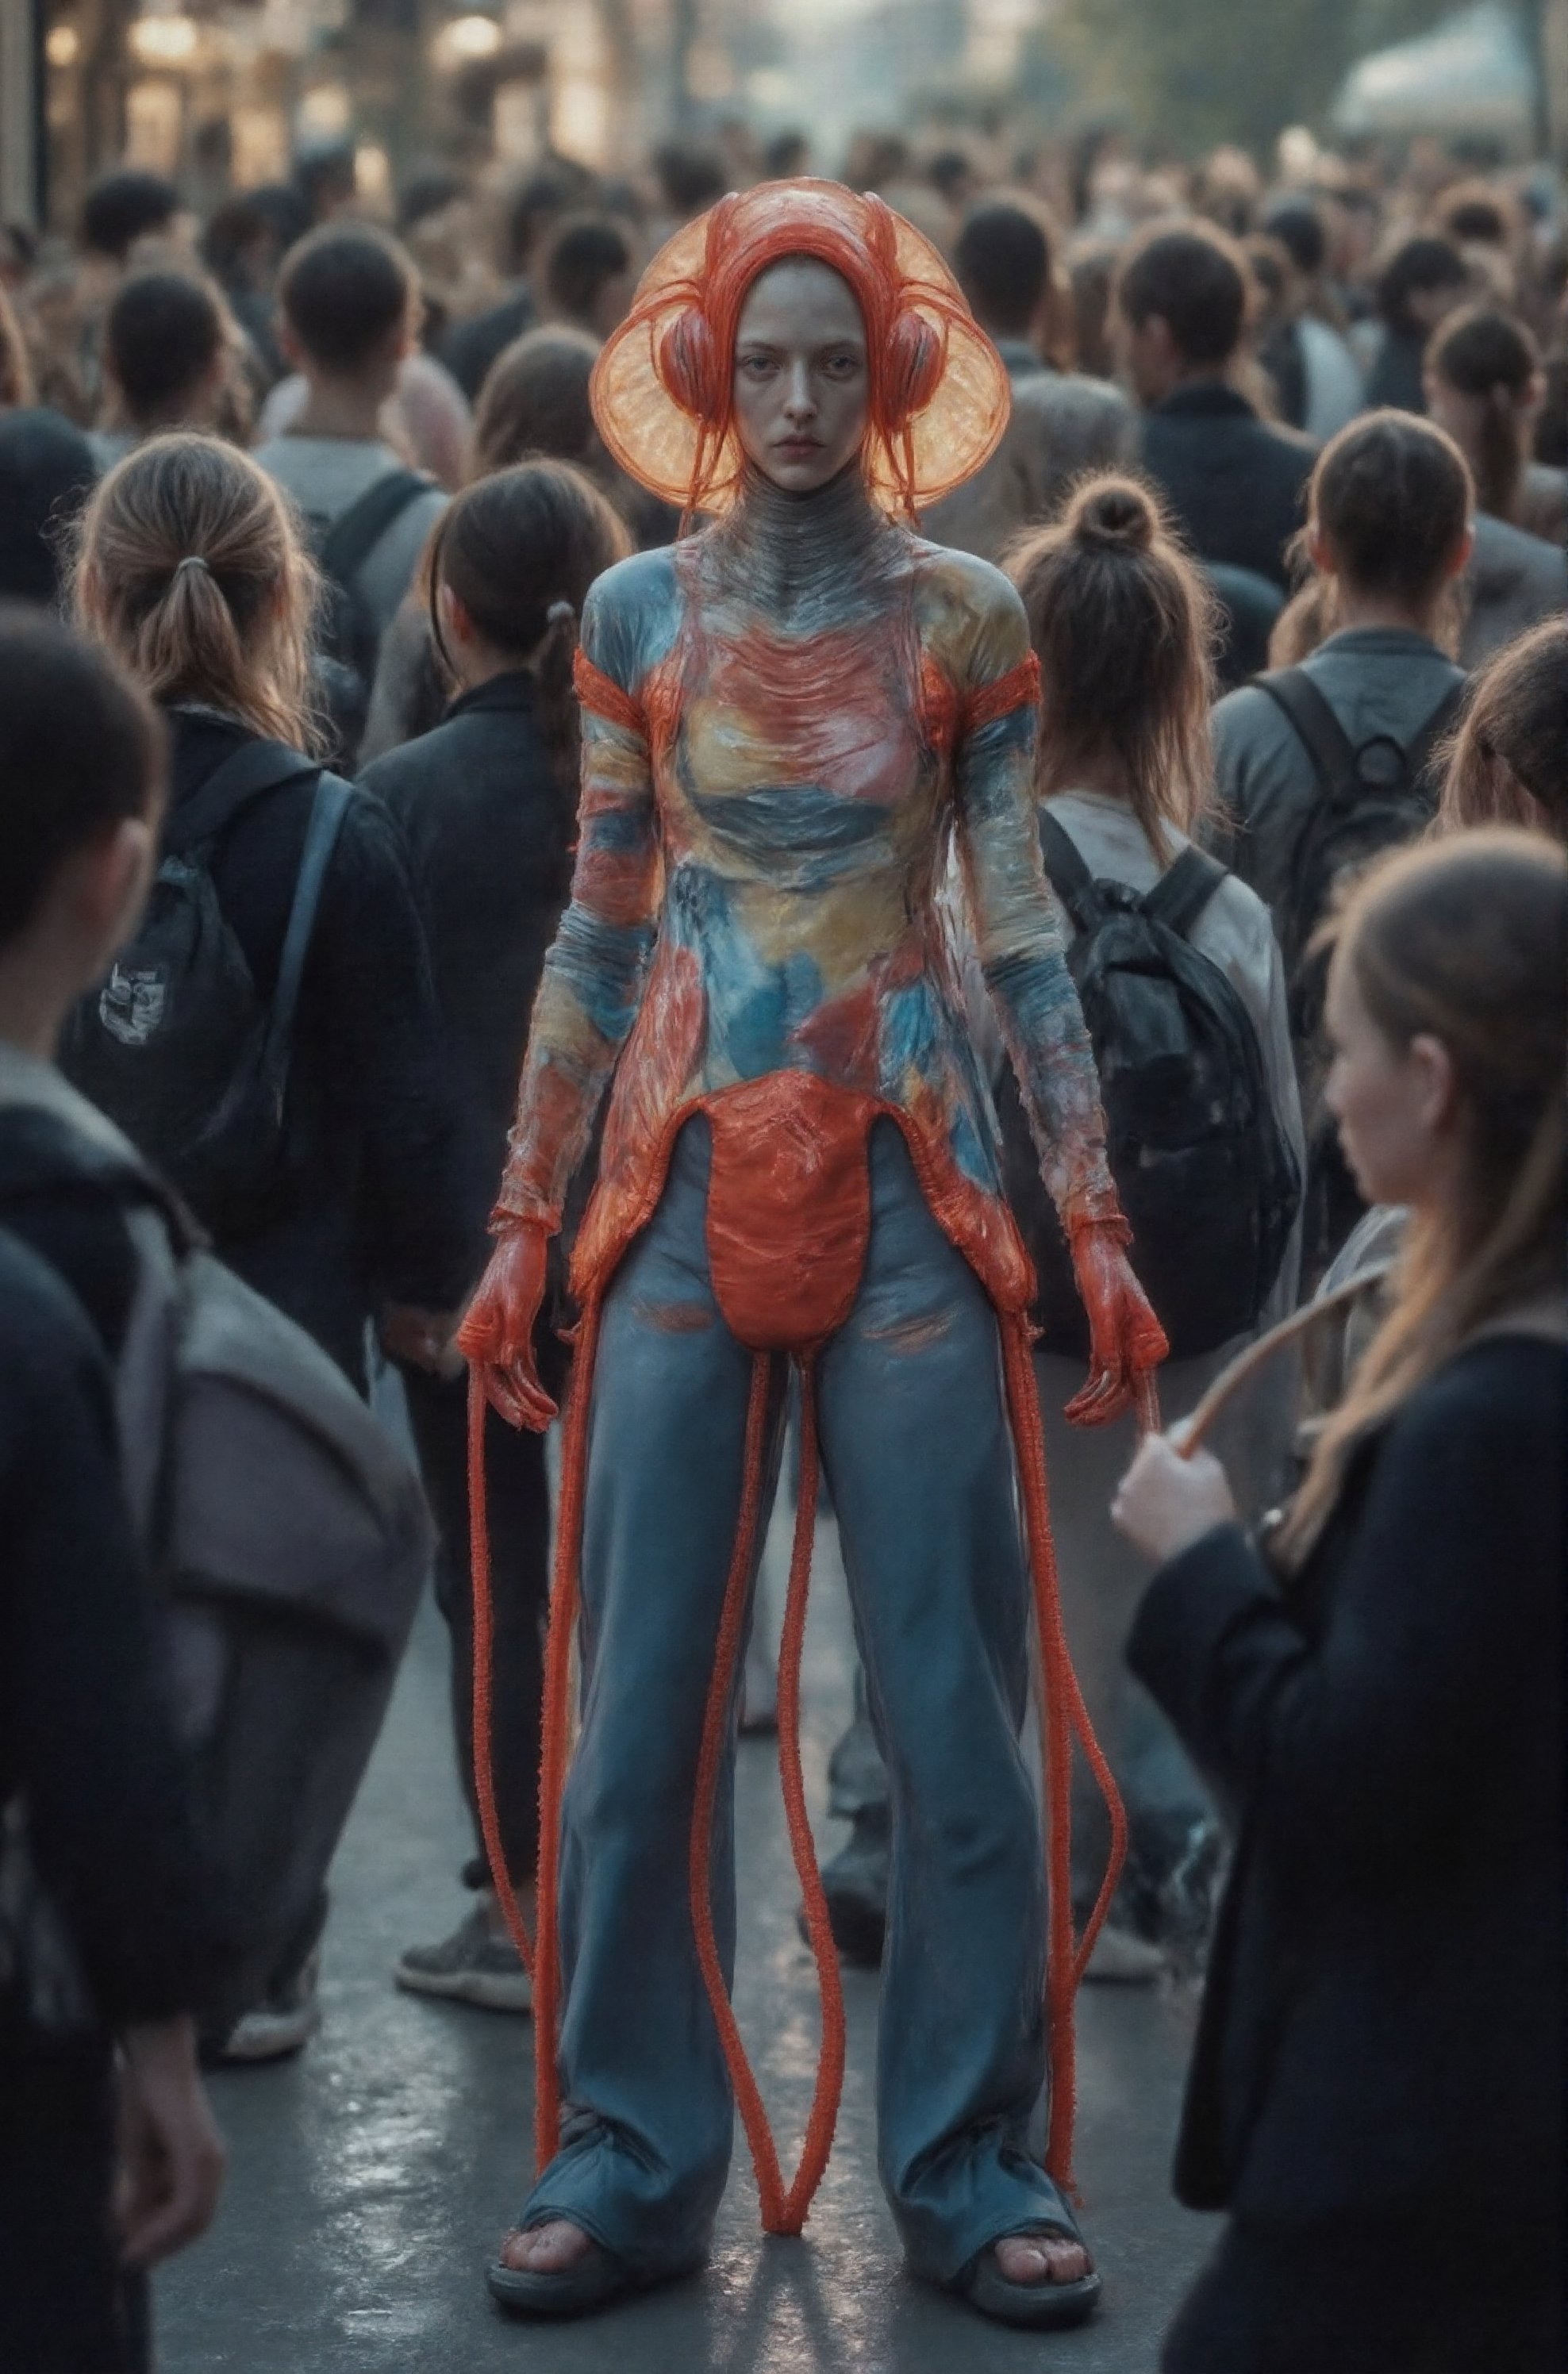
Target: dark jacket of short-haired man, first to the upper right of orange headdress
1234,483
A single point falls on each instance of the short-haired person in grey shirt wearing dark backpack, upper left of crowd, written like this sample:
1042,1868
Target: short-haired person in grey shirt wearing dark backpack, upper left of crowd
350,307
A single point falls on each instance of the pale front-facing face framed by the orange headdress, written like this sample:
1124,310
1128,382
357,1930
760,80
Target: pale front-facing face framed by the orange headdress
802,379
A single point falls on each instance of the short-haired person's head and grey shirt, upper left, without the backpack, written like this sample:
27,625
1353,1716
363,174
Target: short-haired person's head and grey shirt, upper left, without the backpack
348,322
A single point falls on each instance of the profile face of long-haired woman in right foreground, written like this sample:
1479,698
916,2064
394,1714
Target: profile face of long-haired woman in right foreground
1396,1105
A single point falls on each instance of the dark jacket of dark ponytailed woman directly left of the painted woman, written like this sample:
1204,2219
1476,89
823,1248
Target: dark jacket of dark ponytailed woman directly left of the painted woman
488,834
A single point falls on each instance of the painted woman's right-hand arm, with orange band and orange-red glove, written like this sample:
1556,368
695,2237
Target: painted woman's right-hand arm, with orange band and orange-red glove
1025,970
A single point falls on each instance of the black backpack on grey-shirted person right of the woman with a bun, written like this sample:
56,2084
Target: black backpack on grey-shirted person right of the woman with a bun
1370,801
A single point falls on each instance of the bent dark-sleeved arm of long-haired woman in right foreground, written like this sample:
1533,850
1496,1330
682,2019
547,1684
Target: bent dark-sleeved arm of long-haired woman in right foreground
1446,1613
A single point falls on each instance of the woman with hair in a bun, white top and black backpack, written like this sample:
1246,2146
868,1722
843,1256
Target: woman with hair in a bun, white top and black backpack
1123,626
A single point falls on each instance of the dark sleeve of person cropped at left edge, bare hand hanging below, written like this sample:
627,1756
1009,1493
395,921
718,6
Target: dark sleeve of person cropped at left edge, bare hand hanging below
87,1737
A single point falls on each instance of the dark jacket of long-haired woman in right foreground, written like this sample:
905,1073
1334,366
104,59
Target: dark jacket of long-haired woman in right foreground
1382,2024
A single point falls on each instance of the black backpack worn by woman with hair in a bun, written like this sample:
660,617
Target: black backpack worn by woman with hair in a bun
1206,1174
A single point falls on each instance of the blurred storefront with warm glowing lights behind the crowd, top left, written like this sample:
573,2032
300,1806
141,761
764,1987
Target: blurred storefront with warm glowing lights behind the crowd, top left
227,94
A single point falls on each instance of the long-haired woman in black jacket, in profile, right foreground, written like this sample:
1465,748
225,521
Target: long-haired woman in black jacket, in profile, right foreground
1379,2078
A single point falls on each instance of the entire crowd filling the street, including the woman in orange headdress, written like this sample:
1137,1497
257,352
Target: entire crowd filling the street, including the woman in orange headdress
1256,590
